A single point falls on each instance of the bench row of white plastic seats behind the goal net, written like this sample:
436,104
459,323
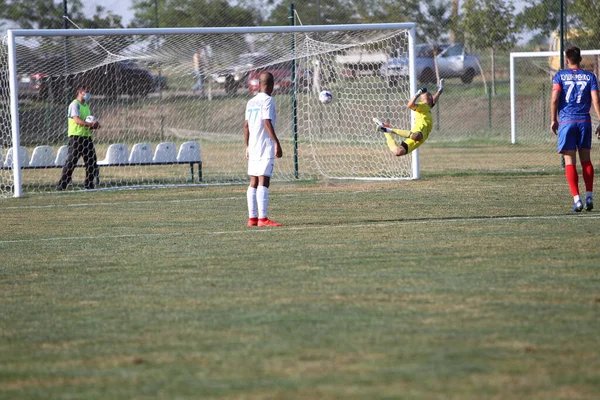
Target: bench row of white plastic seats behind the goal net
117,155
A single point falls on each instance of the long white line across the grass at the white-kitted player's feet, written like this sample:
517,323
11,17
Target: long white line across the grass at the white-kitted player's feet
490,219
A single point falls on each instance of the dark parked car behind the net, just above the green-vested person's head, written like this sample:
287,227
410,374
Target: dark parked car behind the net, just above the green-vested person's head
119,78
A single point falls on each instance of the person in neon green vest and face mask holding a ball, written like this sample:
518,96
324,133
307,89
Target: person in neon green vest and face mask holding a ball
80,141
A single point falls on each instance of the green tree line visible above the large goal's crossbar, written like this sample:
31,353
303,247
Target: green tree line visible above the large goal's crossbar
479,23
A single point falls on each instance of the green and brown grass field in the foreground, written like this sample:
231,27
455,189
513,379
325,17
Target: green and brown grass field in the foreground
455,286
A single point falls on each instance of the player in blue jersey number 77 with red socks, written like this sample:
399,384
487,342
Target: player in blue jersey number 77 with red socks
574,91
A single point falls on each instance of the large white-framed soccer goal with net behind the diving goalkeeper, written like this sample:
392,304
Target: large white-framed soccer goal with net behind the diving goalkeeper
171,102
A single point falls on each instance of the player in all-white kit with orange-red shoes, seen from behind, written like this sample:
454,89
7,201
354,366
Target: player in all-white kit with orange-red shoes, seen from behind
262,147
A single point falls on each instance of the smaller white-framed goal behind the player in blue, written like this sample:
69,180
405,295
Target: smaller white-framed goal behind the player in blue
531,76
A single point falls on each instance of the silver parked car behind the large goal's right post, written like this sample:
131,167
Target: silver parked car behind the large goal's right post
453,62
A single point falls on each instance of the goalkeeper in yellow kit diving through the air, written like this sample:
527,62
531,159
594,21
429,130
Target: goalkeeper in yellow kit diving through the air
421,103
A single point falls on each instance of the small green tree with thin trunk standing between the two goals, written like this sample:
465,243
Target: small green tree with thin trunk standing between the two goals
490,24
